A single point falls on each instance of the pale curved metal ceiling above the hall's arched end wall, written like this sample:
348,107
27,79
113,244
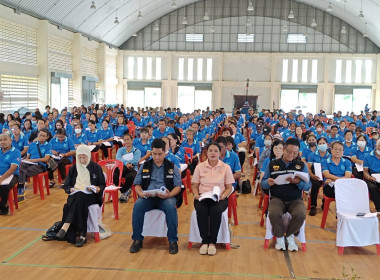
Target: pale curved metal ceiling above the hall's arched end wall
76,15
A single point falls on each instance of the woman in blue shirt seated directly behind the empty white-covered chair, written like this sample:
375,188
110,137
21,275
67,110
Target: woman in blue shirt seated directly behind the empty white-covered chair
334,168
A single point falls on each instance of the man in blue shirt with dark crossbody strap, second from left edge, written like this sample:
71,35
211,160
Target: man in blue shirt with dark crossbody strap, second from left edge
38,155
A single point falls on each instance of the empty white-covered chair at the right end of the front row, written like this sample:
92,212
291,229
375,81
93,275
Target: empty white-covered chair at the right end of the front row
351,196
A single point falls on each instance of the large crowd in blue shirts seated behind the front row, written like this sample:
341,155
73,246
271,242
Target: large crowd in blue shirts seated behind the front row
341,145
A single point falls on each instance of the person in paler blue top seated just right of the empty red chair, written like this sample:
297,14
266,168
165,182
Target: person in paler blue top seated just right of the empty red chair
130,157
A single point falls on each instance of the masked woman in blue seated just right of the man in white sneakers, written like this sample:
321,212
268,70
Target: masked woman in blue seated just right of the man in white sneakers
314,159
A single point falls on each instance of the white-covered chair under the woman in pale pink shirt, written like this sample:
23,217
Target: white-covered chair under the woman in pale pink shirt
223,234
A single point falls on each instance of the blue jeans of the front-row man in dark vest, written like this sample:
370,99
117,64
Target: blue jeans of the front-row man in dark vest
168,206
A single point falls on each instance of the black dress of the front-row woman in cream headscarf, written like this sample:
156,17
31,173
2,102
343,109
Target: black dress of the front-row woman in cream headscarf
75,211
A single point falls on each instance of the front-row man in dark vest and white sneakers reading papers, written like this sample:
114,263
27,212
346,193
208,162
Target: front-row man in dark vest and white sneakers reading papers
286,197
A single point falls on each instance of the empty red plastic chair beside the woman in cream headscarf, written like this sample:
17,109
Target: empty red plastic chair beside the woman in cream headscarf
109,181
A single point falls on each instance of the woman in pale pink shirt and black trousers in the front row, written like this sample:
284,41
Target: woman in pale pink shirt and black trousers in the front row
208,174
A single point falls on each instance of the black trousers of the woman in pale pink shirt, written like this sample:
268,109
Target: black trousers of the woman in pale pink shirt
209,217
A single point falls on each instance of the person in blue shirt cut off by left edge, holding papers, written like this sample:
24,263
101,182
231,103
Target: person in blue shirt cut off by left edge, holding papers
10,158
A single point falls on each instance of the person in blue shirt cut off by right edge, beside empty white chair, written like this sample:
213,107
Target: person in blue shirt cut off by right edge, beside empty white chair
371,166
